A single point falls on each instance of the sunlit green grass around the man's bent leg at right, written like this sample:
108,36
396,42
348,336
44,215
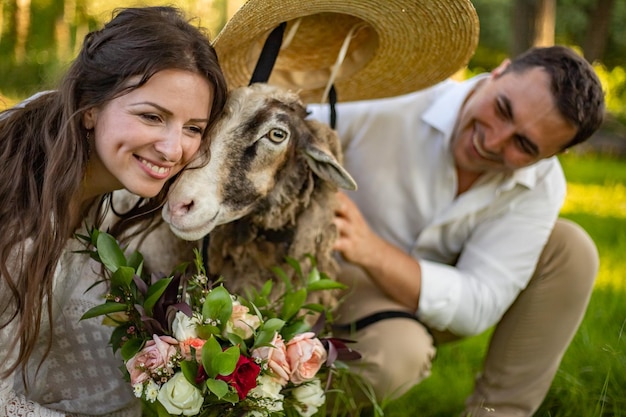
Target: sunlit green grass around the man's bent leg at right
591,381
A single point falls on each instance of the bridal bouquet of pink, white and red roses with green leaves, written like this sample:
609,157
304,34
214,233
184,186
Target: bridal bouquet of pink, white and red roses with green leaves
192,348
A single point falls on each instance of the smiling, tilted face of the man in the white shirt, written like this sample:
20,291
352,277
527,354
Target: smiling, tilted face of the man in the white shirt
508,122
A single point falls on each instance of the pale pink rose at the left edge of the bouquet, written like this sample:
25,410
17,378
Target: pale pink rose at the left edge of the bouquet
156,355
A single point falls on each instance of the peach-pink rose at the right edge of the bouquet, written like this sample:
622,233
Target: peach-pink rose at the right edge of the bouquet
305,354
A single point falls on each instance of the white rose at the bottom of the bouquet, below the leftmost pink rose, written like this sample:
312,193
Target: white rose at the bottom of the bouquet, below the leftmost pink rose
178,396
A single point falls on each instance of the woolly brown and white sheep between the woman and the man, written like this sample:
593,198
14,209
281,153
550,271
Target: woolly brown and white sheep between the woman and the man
268,190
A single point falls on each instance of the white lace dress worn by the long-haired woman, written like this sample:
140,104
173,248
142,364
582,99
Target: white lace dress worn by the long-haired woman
80,376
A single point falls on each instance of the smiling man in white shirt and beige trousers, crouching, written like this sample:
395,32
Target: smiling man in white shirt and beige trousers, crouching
454,227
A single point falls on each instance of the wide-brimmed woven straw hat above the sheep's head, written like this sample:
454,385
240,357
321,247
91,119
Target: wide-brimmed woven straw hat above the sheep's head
392,47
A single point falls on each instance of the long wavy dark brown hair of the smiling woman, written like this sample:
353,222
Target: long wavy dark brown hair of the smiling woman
44,151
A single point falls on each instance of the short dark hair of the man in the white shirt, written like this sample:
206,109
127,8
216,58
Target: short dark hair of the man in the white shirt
575,86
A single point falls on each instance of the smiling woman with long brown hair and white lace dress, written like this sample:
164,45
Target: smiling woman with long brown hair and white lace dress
133,109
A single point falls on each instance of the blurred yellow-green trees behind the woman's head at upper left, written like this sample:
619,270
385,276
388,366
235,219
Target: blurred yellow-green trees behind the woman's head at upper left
39,37
